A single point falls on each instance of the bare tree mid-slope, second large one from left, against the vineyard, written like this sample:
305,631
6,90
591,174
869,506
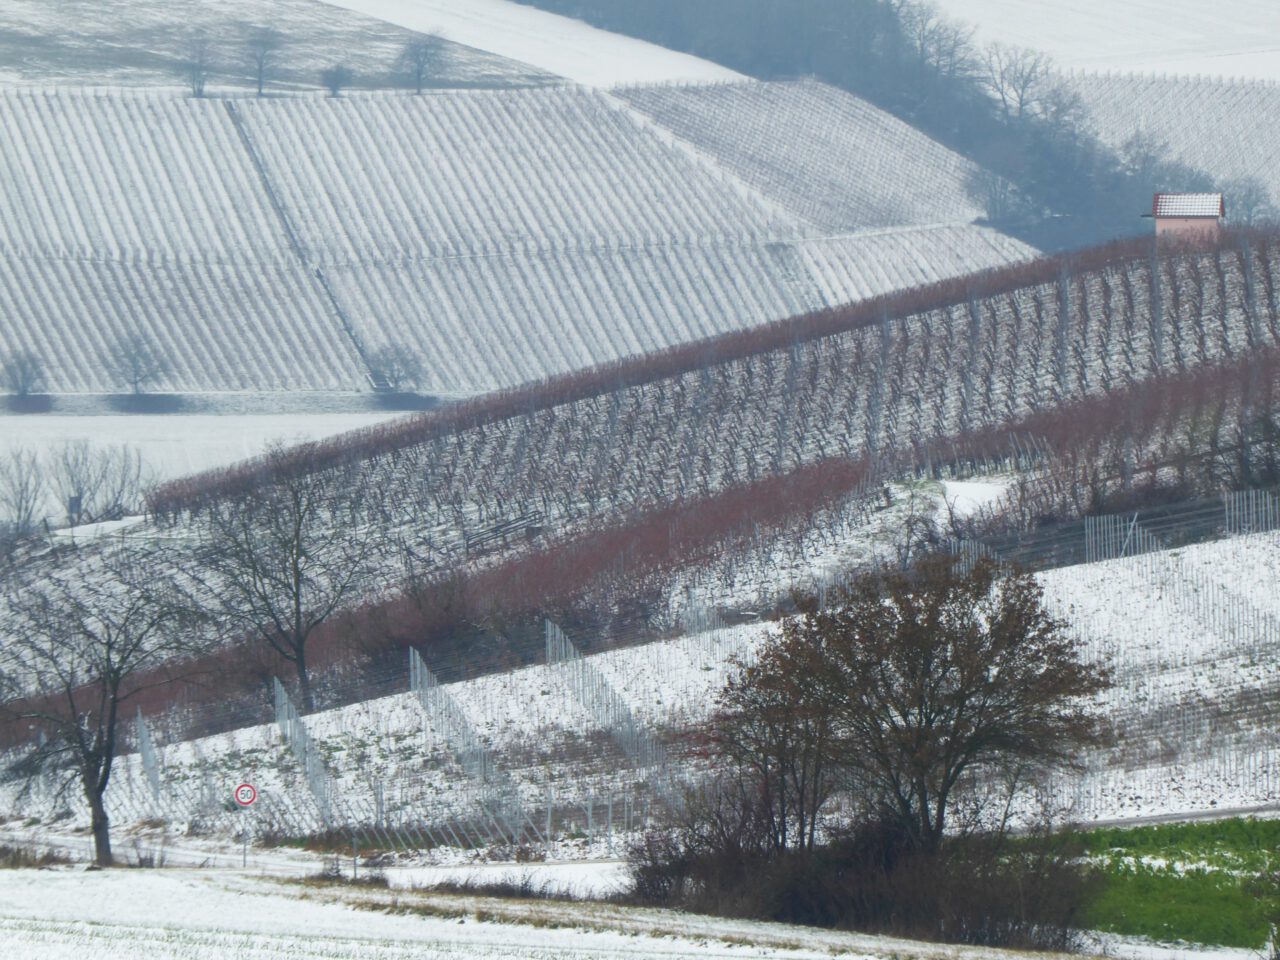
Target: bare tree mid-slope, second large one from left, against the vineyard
286,560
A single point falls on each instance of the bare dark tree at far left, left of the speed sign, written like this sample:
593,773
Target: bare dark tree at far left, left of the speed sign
84,650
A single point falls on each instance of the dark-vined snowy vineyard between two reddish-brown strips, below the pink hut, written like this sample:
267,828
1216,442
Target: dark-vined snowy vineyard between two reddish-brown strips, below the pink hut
574,468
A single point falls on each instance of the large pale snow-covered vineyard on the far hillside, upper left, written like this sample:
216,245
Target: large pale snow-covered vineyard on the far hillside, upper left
506,235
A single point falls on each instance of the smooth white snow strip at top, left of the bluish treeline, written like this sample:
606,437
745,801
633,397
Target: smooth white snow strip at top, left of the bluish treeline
555,44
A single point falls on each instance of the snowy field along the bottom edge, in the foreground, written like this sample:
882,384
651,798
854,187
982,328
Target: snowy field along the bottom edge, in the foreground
203,916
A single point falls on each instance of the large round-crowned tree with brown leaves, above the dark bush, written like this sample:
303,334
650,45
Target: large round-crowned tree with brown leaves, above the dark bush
941,679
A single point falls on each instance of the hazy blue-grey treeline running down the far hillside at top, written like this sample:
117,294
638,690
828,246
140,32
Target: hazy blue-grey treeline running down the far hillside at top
1004,108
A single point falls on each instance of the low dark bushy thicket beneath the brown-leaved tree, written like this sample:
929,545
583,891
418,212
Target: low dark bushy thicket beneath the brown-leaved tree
982,890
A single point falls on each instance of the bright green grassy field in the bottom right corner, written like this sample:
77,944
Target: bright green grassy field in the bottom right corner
1195,883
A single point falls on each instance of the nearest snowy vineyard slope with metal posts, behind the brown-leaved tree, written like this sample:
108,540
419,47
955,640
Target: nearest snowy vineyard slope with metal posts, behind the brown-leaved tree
575,747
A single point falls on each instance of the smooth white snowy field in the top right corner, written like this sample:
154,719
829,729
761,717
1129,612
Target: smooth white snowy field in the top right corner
1228,39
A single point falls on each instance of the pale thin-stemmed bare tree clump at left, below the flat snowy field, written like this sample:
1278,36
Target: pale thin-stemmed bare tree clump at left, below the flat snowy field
98,483
